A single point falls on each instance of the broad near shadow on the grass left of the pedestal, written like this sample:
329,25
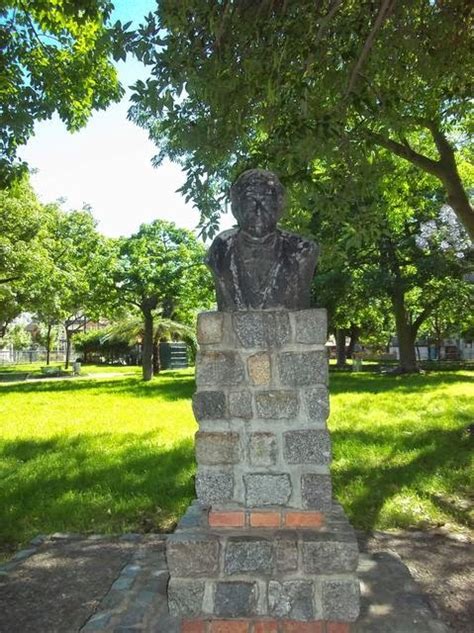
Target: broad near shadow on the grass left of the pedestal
93,484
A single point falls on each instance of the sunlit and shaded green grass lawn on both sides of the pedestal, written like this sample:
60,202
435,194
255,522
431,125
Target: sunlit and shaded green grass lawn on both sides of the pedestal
114,454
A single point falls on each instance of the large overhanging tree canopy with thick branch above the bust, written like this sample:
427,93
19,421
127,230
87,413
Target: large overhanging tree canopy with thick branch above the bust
282,85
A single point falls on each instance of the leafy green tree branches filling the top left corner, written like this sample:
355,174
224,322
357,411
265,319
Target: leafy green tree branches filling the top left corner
56,57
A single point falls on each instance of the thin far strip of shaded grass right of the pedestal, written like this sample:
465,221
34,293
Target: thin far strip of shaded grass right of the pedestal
380,383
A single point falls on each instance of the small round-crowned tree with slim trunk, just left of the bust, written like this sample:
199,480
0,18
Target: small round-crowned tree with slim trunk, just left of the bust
160,267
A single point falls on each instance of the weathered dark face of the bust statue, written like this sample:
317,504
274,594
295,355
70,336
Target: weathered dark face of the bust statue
258,208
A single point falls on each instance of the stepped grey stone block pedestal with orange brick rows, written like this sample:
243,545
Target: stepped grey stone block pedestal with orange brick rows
264,549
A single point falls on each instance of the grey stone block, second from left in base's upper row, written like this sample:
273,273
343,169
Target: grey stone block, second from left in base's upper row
245,554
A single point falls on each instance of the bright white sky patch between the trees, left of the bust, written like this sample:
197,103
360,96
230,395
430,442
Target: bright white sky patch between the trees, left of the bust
107,164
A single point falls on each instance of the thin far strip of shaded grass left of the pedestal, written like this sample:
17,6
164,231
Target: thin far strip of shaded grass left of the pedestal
170,386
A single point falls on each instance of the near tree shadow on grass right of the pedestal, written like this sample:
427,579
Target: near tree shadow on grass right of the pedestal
366,487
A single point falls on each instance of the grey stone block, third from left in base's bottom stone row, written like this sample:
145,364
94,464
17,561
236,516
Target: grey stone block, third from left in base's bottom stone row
291,599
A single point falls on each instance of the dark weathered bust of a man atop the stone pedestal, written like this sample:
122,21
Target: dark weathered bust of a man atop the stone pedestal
258,266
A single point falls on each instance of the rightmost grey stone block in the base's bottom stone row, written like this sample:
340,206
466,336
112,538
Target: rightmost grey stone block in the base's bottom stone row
340,599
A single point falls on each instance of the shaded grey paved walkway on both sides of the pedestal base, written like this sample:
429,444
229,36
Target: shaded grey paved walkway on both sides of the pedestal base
70,584
